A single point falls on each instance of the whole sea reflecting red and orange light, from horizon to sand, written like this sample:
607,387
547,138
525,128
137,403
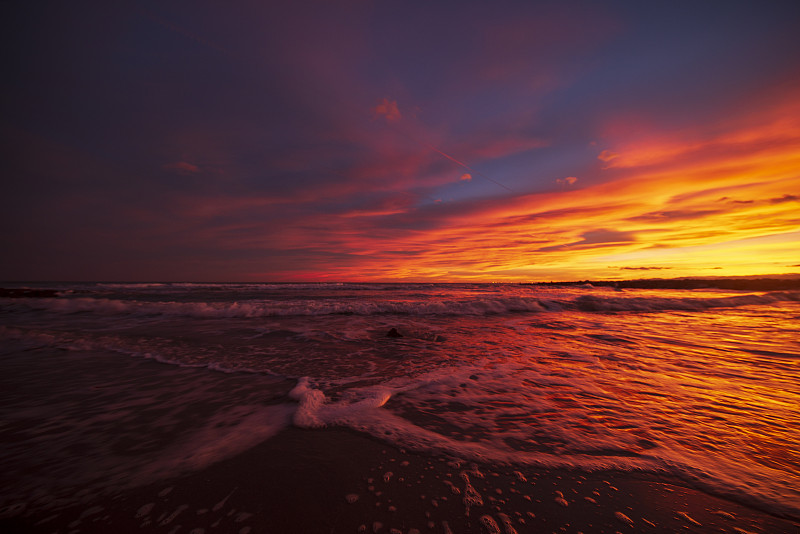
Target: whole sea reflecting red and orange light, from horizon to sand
108,386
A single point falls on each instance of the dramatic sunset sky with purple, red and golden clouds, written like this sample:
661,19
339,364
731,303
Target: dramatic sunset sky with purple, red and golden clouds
399,140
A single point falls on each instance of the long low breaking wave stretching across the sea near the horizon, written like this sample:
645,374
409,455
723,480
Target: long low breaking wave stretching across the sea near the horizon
420,307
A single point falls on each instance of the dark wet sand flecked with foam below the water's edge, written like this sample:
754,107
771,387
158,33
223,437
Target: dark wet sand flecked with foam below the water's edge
332,481
